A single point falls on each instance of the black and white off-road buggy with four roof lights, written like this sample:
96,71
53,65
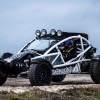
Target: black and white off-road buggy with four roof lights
50,57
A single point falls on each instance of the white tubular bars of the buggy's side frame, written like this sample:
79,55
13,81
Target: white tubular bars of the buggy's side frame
77,60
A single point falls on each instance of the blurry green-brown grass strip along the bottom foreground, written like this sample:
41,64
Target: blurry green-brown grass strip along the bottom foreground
72,94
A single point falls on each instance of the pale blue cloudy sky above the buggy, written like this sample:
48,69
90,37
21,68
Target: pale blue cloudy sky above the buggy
19,19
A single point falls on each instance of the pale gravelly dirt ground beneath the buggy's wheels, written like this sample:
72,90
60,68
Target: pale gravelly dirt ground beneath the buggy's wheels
20,85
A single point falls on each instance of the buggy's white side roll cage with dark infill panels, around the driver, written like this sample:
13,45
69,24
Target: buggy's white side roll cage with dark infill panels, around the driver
56,58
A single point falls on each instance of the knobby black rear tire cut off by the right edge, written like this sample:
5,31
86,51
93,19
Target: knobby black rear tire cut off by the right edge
95,71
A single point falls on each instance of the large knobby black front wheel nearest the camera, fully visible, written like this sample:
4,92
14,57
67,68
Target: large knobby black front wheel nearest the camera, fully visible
40,74
